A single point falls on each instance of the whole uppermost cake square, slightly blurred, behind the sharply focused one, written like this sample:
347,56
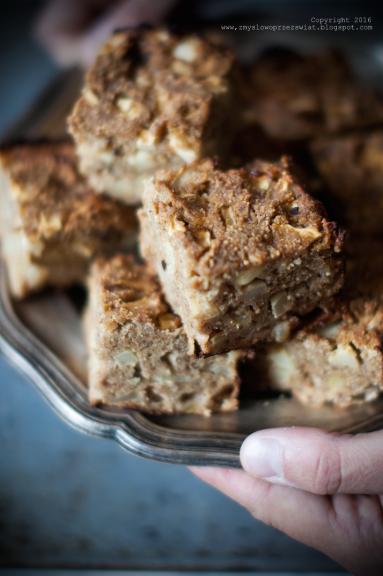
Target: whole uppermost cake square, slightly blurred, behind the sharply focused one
151,100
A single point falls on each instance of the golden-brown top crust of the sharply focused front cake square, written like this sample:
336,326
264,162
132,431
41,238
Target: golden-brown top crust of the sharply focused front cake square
243,217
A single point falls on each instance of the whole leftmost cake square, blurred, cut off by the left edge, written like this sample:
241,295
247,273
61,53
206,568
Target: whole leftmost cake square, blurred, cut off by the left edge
52,223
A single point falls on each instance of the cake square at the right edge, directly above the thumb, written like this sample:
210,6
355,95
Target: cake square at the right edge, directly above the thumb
338,358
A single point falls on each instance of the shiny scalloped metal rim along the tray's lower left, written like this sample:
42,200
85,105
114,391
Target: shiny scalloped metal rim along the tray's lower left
131,429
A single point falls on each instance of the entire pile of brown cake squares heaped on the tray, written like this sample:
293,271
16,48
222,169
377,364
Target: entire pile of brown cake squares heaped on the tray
217,173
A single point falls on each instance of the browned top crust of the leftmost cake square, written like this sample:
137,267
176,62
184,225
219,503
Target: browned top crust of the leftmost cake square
55,202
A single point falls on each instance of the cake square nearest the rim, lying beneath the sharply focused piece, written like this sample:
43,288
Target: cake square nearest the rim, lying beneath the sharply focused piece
138,350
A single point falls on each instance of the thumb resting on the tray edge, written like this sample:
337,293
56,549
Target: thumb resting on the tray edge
316,461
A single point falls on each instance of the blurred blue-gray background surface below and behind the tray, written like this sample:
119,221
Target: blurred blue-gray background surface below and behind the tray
67,500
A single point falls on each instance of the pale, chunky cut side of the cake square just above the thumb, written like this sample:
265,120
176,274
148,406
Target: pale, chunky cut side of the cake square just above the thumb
320,370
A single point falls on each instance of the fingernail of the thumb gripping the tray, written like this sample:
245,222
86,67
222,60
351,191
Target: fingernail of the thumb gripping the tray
263,457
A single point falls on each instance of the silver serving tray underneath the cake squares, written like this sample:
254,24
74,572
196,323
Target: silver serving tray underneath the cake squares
42,338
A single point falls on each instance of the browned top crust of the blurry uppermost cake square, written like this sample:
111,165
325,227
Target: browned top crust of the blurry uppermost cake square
152,80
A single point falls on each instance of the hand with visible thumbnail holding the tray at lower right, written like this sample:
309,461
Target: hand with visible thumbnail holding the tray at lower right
322,489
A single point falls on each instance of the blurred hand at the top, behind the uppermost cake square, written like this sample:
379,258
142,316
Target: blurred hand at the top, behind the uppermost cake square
72,30
